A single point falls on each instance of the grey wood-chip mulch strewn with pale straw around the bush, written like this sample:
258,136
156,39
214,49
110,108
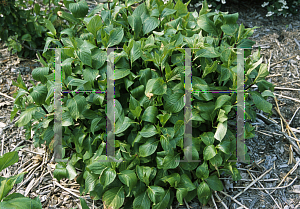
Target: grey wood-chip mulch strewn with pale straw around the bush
270,149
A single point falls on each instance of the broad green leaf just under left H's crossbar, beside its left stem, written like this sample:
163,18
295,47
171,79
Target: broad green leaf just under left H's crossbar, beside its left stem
76,105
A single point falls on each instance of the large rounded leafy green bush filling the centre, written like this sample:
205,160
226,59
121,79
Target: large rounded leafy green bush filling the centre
149,100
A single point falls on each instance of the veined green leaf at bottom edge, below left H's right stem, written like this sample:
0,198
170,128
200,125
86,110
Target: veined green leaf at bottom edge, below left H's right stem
114,197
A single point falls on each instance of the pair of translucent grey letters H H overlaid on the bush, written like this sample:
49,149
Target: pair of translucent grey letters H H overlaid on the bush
110,128
